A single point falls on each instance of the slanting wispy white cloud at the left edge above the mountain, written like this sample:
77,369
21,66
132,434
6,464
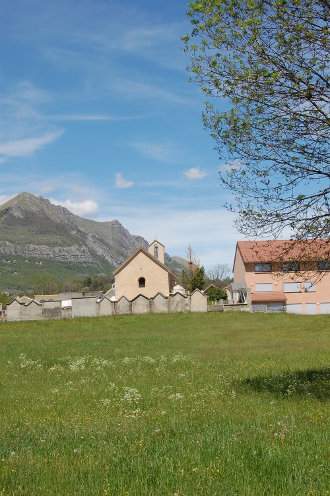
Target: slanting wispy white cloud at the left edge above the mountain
27,146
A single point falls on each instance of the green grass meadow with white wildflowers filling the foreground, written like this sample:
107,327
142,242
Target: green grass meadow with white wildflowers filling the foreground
209,404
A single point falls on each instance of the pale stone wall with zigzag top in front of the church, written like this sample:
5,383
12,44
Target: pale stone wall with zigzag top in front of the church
93,307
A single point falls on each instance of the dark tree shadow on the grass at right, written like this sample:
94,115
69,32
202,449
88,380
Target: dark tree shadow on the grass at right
312,383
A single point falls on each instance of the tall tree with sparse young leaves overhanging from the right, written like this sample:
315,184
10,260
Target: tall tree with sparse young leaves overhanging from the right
267,63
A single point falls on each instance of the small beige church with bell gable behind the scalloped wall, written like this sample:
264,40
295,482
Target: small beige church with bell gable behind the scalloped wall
145,273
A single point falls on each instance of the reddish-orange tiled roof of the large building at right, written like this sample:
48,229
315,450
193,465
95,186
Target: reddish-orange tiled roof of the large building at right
279,250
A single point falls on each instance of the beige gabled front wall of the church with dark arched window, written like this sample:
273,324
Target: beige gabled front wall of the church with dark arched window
127,284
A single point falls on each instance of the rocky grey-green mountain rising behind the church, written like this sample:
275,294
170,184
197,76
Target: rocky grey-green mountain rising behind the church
37,236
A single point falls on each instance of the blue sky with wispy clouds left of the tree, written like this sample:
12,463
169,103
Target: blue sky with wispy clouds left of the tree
97,114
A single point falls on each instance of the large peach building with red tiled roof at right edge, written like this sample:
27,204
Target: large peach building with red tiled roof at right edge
285,275
